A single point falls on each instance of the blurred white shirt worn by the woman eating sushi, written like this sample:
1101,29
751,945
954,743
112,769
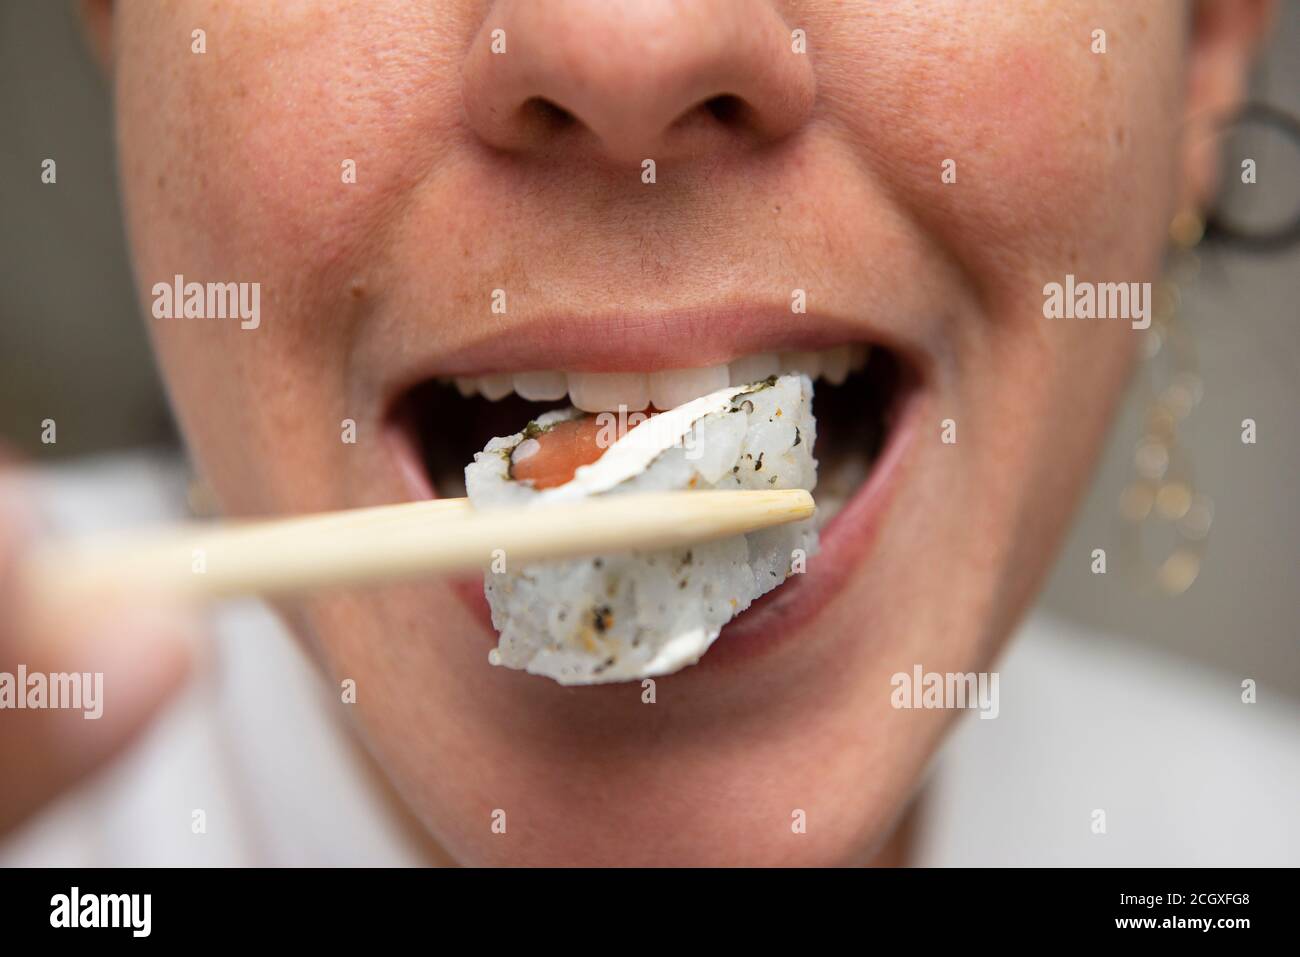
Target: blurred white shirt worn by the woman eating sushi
1185,772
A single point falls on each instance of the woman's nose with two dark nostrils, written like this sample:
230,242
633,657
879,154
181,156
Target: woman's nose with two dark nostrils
635,80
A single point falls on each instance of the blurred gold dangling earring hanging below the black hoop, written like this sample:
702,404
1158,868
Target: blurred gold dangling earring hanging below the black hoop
1163,500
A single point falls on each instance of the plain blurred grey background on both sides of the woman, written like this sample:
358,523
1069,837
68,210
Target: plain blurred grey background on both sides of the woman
73,349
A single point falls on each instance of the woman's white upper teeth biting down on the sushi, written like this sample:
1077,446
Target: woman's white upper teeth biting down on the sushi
600,392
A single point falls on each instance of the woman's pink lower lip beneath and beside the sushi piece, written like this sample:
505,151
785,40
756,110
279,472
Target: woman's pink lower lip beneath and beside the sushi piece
846,543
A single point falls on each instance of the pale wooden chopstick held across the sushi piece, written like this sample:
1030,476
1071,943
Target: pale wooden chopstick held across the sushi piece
395,543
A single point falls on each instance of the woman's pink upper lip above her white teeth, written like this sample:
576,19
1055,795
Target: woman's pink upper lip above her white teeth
639,341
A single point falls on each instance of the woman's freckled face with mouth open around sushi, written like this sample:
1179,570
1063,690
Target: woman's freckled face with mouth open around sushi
824,172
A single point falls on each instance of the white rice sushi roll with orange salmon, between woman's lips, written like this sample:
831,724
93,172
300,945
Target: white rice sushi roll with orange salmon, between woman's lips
634,616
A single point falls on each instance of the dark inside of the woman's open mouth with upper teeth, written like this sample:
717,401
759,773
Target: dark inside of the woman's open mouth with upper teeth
859,395
